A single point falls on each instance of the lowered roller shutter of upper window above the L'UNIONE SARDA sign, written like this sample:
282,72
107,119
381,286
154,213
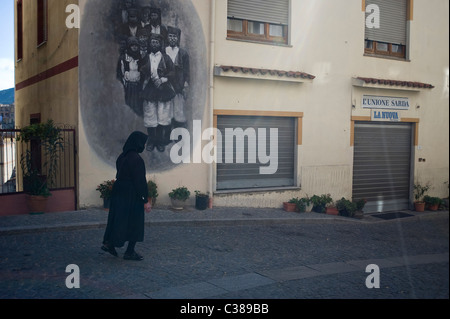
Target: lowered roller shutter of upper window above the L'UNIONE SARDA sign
392,22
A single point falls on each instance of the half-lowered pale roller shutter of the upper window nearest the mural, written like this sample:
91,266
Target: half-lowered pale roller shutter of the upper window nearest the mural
269,11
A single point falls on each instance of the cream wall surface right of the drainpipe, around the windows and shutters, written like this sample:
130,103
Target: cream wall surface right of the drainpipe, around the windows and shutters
327,41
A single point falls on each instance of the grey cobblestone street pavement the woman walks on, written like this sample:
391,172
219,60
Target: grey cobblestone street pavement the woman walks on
282,260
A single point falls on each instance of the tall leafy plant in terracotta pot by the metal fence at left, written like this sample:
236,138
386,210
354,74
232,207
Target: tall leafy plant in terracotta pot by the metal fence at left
39,162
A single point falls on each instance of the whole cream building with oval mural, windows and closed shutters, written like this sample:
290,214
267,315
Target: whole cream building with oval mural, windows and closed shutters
310,97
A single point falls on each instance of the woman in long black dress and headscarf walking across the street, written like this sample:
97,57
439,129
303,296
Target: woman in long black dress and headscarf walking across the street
129,200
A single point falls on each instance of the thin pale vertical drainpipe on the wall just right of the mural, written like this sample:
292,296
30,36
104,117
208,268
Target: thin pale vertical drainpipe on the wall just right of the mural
211,86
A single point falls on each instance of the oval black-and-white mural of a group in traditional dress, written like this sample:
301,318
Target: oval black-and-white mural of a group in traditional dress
142,67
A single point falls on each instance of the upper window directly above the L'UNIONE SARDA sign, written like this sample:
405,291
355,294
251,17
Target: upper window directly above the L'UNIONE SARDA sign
385,28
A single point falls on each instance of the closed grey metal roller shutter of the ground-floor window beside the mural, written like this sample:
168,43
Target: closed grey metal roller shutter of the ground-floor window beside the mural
247,175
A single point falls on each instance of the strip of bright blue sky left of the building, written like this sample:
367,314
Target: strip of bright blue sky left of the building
7,44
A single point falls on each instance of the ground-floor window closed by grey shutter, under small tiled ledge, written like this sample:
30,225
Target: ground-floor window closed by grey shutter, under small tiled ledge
255,152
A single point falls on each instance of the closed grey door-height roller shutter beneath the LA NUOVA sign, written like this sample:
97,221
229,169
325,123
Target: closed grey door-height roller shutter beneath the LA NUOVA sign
381,165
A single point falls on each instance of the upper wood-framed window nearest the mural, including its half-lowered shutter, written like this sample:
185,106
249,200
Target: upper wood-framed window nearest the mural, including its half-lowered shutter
258,20
